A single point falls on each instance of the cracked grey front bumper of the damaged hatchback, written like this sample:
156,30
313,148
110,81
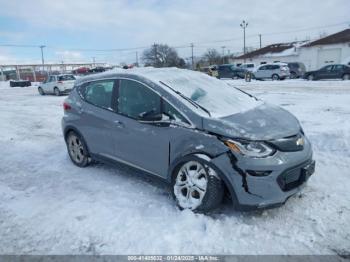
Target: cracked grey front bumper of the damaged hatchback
287,174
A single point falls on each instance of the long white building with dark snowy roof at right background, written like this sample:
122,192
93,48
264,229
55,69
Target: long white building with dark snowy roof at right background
333,49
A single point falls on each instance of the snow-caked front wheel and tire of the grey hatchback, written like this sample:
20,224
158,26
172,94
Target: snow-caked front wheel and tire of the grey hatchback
196,186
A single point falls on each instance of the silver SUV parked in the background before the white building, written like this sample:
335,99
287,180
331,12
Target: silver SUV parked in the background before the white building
275,71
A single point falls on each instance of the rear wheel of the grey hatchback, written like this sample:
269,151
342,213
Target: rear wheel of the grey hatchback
77,149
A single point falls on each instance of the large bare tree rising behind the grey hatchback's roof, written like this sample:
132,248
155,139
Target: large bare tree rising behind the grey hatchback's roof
160,55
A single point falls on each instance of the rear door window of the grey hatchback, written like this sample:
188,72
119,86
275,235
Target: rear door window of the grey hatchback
99,93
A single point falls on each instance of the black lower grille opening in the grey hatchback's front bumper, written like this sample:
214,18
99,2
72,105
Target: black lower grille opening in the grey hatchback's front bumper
296,176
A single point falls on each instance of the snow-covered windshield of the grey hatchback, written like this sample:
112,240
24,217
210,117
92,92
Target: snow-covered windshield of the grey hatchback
215,95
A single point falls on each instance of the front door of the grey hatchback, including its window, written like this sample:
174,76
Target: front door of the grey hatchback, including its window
140,143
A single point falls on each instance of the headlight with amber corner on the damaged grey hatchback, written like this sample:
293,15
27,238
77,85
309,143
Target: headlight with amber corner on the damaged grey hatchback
251,149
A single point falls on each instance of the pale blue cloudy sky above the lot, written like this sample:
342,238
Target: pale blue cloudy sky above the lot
68,26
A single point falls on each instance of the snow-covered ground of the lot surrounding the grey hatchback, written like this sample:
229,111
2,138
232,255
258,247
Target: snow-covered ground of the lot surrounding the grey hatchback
50,206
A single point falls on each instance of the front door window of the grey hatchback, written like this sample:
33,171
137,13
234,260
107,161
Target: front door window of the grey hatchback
136,100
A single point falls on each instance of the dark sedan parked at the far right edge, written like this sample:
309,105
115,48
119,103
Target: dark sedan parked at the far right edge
337,71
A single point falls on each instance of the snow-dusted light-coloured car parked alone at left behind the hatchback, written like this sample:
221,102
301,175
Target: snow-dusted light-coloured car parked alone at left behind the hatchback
57,84
